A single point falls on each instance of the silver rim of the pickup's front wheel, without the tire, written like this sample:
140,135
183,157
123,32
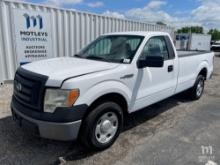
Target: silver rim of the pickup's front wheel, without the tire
106,127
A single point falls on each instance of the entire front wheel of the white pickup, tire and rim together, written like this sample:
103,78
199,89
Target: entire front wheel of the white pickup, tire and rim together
102,126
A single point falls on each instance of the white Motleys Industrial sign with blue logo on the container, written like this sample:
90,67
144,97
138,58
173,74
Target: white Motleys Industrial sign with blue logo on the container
32,35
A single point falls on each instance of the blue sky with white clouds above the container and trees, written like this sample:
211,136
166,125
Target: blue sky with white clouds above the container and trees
176,13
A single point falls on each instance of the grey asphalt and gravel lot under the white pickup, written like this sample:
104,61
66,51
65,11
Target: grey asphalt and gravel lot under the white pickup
174,131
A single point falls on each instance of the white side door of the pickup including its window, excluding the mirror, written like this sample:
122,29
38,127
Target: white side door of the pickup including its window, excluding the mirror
156,83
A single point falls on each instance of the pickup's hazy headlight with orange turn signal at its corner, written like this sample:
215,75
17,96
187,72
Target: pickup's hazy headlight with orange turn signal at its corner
59,98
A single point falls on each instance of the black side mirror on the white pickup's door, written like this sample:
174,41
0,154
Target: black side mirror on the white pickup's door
151,61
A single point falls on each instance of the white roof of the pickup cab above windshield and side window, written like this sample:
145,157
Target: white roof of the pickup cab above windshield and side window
139,33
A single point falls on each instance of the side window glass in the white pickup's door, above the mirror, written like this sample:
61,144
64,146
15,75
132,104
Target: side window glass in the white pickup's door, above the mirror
156,46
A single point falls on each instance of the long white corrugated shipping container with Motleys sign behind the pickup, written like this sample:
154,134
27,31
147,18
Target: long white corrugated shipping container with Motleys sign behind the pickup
30,32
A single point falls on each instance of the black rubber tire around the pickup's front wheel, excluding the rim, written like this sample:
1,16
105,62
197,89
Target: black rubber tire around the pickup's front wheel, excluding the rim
88,130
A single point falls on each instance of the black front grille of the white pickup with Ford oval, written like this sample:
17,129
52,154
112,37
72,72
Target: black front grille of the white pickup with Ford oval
29,89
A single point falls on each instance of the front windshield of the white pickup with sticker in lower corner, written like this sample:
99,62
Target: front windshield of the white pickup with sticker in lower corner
114,48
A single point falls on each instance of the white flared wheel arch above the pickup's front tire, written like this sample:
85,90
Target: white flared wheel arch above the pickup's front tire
103,88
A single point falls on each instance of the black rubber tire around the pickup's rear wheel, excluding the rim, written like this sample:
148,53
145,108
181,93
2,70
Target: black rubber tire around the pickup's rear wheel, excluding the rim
194,94
